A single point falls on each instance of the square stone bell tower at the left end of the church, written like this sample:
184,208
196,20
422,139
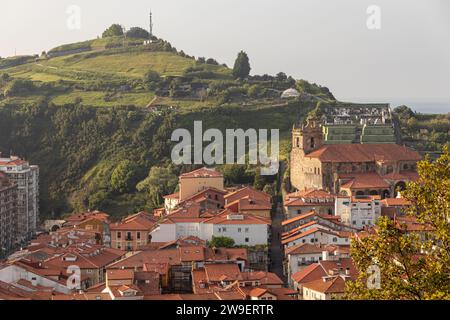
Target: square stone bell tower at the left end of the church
305,140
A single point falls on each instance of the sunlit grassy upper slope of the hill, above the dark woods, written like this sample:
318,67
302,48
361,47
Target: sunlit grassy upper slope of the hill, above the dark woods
118,71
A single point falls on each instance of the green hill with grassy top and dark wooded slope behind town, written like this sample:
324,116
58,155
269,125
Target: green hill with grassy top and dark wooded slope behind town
83,112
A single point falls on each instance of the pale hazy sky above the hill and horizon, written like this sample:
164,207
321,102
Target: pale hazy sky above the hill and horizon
405,60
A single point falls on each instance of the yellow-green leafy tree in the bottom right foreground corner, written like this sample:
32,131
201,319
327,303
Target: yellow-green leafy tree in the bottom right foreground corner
410,265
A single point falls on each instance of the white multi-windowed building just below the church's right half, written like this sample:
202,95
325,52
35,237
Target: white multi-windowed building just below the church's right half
358,212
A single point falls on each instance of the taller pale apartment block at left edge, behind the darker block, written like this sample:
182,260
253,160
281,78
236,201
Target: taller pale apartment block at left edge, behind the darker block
26,177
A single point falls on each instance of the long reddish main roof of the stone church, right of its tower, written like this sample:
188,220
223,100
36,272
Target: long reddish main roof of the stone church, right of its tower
364,153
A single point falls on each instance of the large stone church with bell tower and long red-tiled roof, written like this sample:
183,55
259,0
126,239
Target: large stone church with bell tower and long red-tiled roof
349,169
